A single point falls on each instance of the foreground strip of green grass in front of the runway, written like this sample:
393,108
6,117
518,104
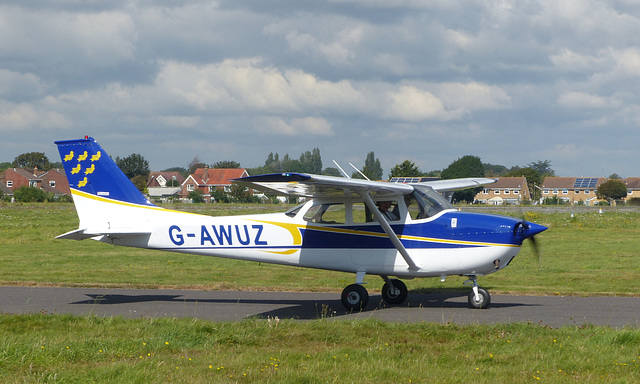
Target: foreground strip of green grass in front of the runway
44,348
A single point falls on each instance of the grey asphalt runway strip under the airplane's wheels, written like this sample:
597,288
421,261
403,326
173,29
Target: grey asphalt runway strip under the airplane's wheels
552,311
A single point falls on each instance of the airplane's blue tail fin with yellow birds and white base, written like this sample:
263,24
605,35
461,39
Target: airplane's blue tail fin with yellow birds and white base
102,193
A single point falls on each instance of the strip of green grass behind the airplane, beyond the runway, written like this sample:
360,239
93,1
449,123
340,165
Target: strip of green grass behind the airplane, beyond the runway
588,254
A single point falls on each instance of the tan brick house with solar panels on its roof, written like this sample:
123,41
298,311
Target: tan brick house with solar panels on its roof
575,190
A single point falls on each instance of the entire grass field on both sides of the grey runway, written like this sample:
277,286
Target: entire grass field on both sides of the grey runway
587,254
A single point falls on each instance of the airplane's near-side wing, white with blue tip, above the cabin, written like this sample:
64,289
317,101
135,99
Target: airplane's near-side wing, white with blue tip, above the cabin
308,185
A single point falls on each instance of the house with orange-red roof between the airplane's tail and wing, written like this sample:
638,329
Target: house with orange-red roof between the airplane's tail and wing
207,180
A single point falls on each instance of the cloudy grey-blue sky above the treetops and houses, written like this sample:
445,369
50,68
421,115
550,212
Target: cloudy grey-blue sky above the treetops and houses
512,82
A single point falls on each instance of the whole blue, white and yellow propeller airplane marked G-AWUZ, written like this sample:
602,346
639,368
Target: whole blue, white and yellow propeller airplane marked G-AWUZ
393,230
